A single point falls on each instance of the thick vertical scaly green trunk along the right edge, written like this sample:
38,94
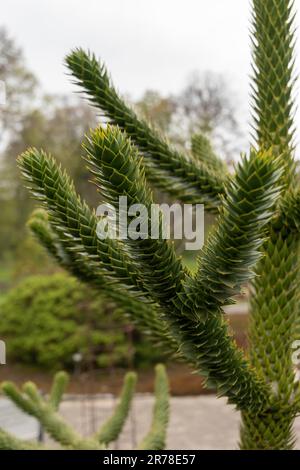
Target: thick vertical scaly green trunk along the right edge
274,301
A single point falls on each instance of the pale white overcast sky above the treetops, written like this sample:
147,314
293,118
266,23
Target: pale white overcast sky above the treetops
145,44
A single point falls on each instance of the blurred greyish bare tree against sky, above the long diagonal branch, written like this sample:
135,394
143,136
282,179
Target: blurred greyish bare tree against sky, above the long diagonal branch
205,106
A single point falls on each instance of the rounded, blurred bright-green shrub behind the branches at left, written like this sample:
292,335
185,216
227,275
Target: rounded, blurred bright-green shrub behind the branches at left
46,319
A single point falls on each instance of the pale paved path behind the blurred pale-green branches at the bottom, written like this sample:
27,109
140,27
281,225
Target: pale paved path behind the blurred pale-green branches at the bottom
202,422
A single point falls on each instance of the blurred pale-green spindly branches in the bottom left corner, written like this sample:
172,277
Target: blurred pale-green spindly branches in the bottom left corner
45,410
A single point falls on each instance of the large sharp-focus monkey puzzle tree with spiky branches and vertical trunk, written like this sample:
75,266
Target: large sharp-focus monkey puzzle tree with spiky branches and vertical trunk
256,236
